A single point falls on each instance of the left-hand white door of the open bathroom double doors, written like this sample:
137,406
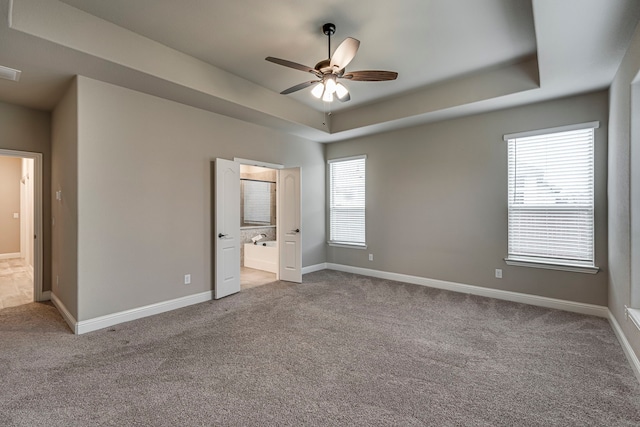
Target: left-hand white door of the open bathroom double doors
227,228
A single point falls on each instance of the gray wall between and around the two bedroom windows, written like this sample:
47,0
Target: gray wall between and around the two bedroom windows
437,200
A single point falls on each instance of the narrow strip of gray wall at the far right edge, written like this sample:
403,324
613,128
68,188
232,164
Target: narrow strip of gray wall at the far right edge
624,190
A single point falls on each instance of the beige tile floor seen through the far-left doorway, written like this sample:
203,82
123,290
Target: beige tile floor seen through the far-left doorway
16,283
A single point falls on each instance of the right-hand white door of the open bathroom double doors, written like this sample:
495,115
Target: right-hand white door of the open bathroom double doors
289,227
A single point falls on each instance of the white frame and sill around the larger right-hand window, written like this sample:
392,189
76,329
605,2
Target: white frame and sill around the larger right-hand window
556,263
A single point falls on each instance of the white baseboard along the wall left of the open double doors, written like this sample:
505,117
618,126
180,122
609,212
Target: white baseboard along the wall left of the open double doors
105,321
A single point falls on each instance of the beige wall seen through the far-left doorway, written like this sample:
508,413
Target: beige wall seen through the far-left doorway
10,175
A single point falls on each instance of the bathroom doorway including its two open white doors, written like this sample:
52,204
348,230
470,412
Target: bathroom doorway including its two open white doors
275,239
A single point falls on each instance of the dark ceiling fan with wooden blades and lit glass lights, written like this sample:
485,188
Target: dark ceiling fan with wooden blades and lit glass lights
328,71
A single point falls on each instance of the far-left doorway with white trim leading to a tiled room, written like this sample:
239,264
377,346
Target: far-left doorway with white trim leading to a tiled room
20,226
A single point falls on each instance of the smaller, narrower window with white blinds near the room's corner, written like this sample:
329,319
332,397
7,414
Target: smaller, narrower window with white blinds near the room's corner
347,201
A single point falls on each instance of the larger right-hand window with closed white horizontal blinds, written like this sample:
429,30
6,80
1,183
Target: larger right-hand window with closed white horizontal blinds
551,198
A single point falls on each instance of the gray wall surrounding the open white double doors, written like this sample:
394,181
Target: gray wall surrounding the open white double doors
144,194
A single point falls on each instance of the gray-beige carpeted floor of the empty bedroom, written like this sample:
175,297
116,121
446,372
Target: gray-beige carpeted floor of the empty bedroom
340,349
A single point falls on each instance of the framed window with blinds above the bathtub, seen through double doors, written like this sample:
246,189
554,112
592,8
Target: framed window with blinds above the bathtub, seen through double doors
257,203
